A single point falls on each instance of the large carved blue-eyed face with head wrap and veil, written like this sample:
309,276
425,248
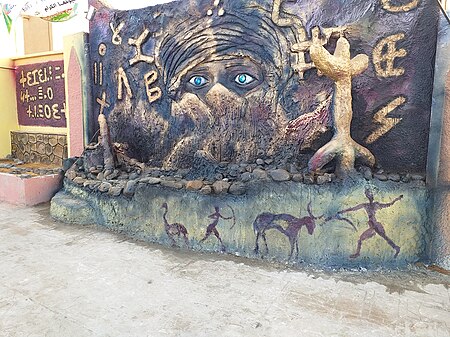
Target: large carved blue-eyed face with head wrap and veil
228,89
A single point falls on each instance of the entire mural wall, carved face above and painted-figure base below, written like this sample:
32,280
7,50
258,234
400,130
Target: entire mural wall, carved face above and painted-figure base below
290,130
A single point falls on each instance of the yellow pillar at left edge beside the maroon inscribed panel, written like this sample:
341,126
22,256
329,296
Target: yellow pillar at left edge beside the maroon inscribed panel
8,109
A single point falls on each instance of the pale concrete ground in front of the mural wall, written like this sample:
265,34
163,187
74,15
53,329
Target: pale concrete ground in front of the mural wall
60,280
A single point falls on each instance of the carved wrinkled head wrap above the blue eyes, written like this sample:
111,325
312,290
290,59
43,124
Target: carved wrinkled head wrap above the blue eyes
239,30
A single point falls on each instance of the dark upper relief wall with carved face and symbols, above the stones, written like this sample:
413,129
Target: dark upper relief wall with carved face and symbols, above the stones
234,81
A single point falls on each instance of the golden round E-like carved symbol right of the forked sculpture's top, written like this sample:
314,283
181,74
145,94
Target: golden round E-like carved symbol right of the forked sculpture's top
384,55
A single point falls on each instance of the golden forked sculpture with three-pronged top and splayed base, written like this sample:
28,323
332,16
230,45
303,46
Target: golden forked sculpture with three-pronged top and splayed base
341,69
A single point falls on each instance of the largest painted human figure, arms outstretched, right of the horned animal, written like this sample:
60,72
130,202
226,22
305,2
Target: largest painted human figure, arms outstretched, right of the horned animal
375,227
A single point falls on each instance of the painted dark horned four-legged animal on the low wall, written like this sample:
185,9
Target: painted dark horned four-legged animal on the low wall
266,221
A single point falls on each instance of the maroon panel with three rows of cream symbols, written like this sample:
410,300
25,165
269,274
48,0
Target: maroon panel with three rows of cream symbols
41,94
